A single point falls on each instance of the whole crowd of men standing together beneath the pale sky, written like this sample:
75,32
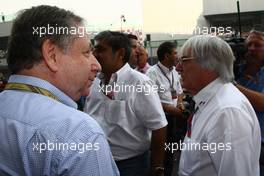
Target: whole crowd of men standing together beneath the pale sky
134,120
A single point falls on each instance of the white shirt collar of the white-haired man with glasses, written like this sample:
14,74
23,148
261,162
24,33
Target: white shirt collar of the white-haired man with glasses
207,93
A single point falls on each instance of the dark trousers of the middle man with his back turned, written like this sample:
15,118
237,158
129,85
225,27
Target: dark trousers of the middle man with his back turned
136,166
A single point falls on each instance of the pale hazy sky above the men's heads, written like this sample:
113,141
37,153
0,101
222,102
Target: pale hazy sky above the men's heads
147,15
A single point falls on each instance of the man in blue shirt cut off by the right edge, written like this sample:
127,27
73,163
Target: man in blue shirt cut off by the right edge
251,83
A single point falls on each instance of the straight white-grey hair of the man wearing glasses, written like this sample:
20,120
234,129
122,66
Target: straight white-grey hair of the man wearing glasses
211,53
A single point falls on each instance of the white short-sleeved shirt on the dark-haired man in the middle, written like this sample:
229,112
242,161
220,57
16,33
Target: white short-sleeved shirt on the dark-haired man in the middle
130,116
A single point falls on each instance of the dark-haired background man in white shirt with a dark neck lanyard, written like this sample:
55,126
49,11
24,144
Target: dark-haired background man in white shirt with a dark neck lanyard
165,76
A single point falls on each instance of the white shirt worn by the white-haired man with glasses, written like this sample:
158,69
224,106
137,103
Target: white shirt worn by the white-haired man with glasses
226,123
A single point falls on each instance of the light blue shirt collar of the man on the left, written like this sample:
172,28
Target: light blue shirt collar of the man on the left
34,81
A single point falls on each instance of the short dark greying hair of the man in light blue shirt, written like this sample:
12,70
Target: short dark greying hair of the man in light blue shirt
25,47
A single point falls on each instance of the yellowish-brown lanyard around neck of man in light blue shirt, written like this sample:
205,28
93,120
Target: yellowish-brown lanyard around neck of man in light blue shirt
30,88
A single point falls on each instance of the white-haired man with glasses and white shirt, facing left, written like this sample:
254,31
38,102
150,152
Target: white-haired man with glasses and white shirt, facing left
223,136
